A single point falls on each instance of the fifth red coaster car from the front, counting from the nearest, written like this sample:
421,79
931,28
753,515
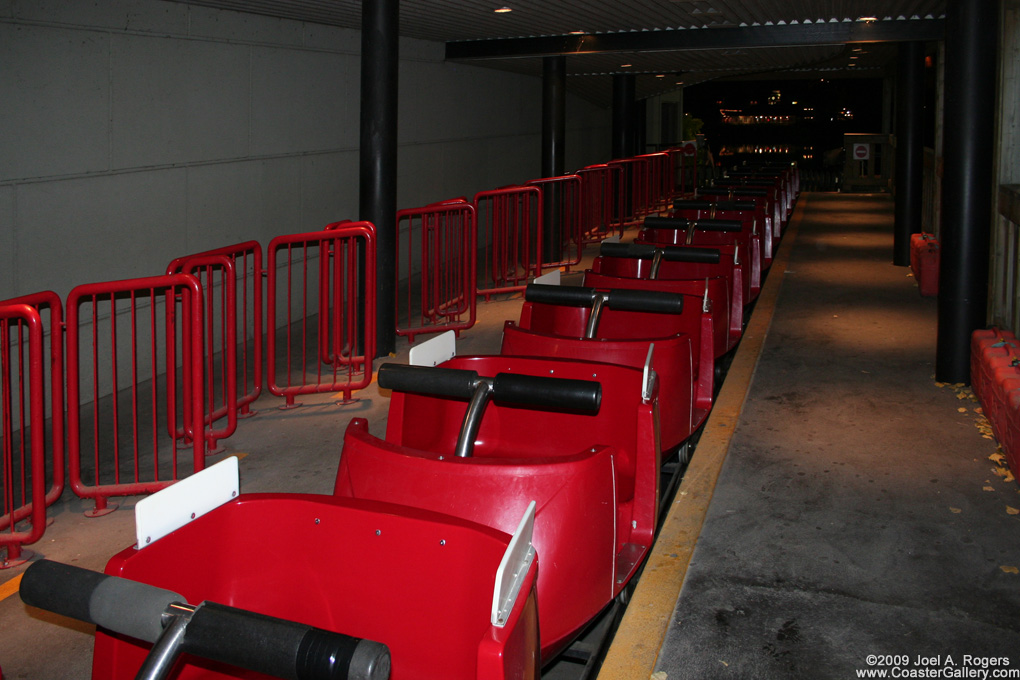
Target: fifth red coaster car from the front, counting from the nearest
680,232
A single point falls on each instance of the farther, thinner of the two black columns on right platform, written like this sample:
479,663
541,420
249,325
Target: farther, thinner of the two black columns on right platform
909,153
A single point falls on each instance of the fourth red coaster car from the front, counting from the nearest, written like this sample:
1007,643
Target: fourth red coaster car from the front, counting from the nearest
678,270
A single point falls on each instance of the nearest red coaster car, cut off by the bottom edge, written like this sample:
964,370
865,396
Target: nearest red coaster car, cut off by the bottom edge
420,583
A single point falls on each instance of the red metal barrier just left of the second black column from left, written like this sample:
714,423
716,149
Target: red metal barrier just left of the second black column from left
509,235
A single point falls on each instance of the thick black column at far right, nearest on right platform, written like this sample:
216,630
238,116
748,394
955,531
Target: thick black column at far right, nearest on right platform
972,55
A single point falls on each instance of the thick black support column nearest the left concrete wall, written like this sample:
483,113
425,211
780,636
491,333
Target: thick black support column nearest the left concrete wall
380,57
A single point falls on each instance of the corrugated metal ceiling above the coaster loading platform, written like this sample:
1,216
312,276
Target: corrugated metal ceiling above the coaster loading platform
659,71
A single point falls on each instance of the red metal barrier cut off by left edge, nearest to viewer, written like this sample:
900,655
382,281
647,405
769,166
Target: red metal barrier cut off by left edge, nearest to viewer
24,473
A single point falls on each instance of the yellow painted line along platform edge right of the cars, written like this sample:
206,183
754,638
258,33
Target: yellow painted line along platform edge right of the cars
639,641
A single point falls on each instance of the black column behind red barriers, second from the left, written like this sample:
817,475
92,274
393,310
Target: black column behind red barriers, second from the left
554,109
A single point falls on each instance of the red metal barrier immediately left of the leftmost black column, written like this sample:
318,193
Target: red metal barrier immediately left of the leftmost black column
322,304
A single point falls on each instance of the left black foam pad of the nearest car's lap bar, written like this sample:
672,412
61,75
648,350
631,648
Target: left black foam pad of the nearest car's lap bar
116,604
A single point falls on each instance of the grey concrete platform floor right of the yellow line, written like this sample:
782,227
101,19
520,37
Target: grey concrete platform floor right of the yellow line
858,516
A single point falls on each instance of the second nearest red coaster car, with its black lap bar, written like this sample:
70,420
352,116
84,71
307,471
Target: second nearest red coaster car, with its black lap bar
481,438
